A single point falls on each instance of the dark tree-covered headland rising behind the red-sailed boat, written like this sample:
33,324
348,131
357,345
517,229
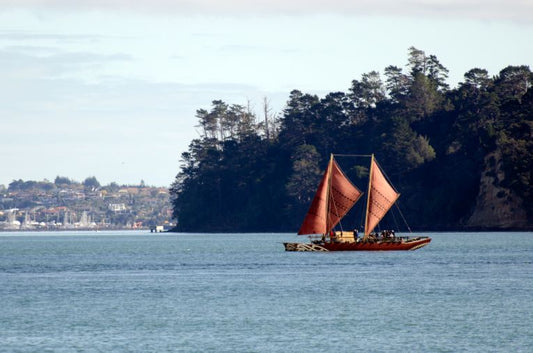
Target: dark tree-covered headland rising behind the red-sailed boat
461,157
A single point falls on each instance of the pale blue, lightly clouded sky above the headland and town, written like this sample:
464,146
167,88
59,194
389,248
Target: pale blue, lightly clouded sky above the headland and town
110,88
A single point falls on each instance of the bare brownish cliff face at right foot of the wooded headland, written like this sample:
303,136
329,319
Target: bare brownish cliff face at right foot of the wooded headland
496,206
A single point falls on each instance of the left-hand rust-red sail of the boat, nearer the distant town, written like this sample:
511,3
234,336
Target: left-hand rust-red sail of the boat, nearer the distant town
334,198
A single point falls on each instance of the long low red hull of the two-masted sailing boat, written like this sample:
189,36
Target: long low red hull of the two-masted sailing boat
388,245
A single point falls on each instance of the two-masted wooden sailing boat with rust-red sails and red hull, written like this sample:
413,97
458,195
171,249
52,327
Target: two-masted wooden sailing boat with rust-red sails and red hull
334,197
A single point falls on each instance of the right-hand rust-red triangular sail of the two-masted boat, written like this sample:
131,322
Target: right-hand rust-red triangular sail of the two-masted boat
381,197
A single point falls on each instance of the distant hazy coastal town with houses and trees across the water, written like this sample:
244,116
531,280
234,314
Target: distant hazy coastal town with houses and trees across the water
69,205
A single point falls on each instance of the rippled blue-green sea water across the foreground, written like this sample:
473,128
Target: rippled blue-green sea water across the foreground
142,292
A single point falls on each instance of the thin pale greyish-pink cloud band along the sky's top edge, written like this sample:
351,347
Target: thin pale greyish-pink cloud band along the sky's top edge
513,10
